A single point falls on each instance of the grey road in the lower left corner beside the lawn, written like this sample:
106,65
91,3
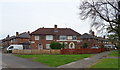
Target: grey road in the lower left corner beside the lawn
11,61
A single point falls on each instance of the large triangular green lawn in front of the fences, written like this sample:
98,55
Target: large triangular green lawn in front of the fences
55,60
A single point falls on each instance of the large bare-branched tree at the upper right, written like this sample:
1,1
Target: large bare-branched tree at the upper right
104,14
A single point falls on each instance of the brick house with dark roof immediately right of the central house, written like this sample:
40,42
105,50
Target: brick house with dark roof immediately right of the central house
92,40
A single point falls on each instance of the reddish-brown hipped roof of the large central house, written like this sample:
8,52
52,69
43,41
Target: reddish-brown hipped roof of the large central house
53,31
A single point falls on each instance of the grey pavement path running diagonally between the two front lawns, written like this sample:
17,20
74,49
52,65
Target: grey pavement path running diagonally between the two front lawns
86,62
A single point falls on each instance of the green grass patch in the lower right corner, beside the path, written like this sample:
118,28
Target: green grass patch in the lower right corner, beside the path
106,63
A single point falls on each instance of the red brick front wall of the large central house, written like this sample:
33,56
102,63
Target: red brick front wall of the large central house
44,42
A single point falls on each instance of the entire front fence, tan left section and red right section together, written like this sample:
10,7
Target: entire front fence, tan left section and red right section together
63,51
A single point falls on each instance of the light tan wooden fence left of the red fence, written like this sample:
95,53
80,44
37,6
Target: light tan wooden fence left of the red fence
36,51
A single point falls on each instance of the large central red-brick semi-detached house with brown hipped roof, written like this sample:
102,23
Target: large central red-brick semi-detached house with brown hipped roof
42,37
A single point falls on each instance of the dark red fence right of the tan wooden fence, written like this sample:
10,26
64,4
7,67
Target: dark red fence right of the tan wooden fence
82,51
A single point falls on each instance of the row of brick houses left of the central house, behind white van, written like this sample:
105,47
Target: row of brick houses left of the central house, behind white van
22,38
